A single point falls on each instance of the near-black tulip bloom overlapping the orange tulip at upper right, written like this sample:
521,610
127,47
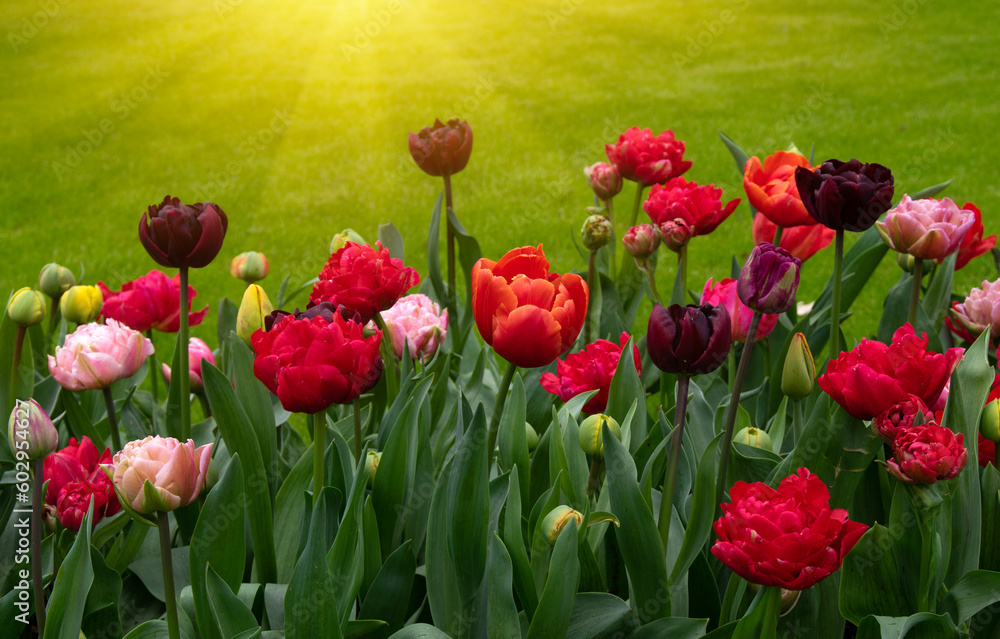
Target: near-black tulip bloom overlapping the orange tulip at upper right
845,195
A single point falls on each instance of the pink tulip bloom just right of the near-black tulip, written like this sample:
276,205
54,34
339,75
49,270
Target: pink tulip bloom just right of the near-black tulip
927,229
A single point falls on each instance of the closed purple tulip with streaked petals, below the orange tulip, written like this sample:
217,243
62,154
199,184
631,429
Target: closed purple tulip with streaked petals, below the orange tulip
769,279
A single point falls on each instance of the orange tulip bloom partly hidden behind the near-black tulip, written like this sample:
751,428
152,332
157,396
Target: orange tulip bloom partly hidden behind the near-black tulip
771,189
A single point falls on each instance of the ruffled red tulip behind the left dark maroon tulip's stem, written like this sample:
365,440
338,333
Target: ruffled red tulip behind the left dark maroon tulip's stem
152,301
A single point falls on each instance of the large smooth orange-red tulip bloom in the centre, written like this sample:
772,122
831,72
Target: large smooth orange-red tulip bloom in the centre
527,314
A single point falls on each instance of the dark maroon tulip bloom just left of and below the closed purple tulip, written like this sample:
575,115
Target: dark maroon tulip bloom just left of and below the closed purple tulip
688,340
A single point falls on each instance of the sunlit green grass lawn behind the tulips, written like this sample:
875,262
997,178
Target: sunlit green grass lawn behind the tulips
544,86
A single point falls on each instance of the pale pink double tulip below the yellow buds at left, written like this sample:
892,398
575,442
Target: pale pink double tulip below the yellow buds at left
97,355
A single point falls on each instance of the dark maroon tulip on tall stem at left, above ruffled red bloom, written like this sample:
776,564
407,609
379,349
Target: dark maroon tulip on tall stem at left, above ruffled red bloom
180,235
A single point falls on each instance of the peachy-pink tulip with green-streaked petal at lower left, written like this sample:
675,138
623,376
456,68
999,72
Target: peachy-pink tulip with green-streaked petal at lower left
175,472
